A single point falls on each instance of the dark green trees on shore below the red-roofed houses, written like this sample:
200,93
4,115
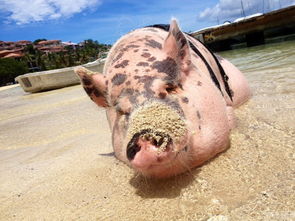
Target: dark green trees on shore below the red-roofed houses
36,60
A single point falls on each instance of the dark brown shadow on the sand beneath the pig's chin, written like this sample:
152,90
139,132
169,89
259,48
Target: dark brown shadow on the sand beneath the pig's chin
162,188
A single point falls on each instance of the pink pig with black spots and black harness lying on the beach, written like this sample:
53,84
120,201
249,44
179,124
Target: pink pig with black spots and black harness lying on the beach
168,99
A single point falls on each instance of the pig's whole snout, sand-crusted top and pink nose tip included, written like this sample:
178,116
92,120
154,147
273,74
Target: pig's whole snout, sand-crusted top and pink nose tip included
156,132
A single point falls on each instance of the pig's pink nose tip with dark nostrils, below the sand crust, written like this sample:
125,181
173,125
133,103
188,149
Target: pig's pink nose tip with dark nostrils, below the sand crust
151,152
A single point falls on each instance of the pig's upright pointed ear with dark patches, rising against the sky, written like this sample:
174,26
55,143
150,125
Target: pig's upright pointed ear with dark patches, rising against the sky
176,46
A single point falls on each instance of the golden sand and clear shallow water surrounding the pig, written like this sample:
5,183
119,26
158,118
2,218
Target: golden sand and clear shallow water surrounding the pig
56,161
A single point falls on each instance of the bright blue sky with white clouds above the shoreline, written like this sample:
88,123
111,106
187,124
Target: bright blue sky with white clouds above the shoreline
107,20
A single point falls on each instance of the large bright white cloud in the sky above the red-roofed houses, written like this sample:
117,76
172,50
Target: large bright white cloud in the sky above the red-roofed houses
26,11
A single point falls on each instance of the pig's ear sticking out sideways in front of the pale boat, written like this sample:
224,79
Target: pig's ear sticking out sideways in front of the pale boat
94,84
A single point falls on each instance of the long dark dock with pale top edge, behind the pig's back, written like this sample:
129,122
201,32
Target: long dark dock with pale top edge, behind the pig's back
250,31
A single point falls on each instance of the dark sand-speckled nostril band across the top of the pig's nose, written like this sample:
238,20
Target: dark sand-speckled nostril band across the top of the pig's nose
160,140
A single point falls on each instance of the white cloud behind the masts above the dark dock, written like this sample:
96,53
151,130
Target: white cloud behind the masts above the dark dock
231,9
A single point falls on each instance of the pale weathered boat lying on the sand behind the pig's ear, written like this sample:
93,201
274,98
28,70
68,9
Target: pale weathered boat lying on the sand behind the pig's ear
53,79
